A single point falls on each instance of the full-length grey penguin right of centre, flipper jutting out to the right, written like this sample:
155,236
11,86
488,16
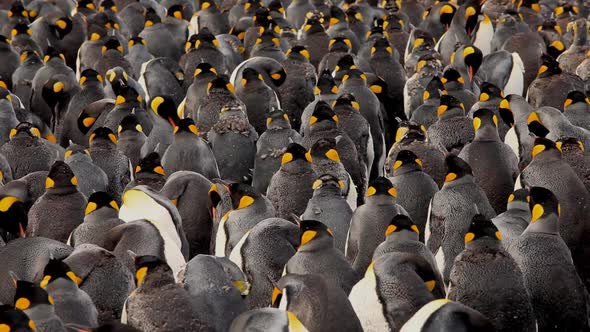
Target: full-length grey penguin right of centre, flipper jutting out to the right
451,211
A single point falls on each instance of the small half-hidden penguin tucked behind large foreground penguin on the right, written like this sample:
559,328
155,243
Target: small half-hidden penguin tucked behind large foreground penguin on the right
515,219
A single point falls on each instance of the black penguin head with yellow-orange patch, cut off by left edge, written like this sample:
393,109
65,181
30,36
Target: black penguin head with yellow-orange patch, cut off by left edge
13,217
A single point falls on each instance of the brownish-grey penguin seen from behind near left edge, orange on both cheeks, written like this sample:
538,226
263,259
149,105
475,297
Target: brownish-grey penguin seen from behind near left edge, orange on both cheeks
61,209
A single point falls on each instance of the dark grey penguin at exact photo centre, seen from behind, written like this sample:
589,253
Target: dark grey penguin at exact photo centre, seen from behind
291,187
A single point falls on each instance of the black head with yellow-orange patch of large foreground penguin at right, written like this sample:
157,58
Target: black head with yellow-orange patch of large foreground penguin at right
544,207
